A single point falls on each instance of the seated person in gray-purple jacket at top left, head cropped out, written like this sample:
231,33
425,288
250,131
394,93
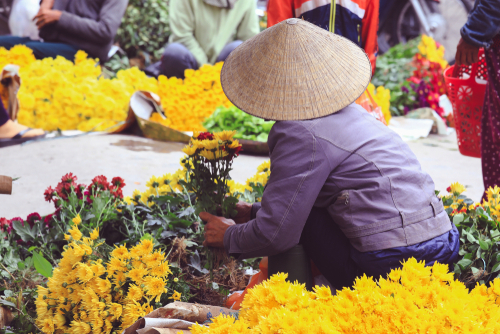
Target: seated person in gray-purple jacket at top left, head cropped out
68,26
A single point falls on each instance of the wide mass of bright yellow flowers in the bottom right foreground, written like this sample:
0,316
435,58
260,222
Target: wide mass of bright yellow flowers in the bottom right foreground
414,299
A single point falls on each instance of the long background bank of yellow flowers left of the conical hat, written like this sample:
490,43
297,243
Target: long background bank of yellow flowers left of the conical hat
59,94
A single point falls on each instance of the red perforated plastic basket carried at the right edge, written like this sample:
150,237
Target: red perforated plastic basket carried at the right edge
466,93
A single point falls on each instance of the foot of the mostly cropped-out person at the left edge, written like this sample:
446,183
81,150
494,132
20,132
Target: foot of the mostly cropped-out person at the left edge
13,133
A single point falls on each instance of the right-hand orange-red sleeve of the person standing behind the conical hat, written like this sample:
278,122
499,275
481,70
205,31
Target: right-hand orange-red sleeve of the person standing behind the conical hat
369,30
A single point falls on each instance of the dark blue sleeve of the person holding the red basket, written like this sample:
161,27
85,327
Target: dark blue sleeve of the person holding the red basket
483,23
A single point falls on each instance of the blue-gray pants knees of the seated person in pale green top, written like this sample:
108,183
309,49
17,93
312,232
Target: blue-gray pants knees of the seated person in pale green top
177,58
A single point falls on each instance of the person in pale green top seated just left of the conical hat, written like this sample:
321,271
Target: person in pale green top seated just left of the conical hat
205,32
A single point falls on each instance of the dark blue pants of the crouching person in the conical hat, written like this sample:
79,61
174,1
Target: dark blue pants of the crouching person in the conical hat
340,263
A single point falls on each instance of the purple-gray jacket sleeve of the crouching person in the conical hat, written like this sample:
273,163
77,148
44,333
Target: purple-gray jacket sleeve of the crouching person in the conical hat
299,168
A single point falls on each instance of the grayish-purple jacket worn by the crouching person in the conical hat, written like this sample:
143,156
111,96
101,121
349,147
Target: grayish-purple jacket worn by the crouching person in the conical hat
353,165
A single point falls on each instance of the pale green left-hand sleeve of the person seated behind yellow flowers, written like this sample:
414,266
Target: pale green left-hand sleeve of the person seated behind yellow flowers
182,22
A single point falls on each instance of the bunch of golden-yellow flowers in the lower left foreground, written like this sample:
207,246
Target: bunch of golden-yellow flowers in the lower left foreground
87,295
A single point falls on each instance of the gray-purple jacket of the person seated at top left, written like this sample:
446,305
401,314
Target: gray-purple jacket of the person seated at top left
90,25
